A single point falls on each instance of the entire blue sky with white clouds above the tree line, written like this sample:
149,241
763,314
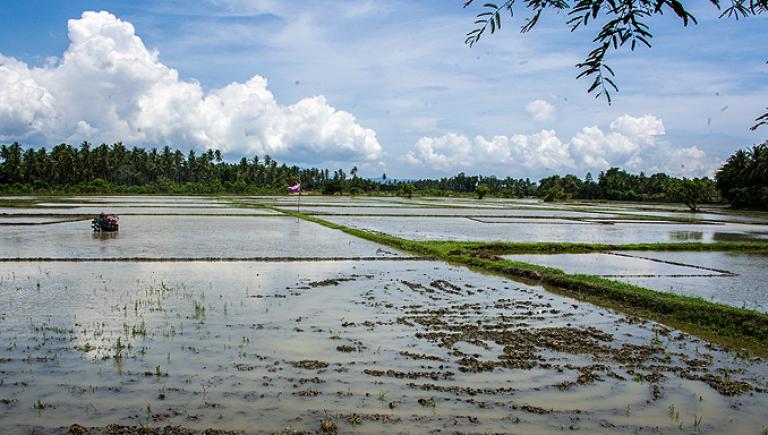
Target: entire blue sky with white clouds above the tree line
387,86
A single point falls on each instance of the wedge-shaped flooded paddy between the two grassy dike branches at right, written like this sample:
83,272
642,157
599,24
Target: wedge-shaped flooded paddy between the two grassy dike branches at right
730,278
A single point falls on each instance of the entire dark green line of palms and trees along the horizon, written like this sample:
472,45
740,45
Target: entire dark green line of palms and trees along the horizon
743,180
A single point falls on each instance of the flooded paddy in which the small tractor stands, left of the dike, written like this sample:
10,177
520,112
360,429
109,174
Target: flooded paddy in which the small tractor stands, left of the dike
186,236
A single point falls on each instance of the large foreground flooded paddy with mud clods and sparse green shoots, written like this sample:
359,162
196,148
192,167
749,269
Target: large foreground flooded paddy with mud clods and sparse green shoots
375,346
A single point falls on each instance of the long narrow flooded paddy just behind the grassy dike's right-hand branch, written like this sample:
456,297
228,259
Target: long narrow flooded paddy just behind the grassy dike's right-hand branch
467,229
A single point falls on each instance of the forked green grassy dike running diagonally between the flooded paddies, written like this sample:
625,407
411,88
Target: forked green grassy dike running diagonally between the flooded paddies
724,324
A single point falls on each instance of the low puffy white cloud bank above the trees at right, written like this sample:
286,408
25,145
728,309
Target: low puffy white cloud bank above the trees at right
632,143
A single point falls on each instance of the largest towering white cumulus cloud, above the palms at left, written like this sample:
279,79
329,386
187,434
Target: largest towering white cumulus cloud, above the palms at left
109,87
